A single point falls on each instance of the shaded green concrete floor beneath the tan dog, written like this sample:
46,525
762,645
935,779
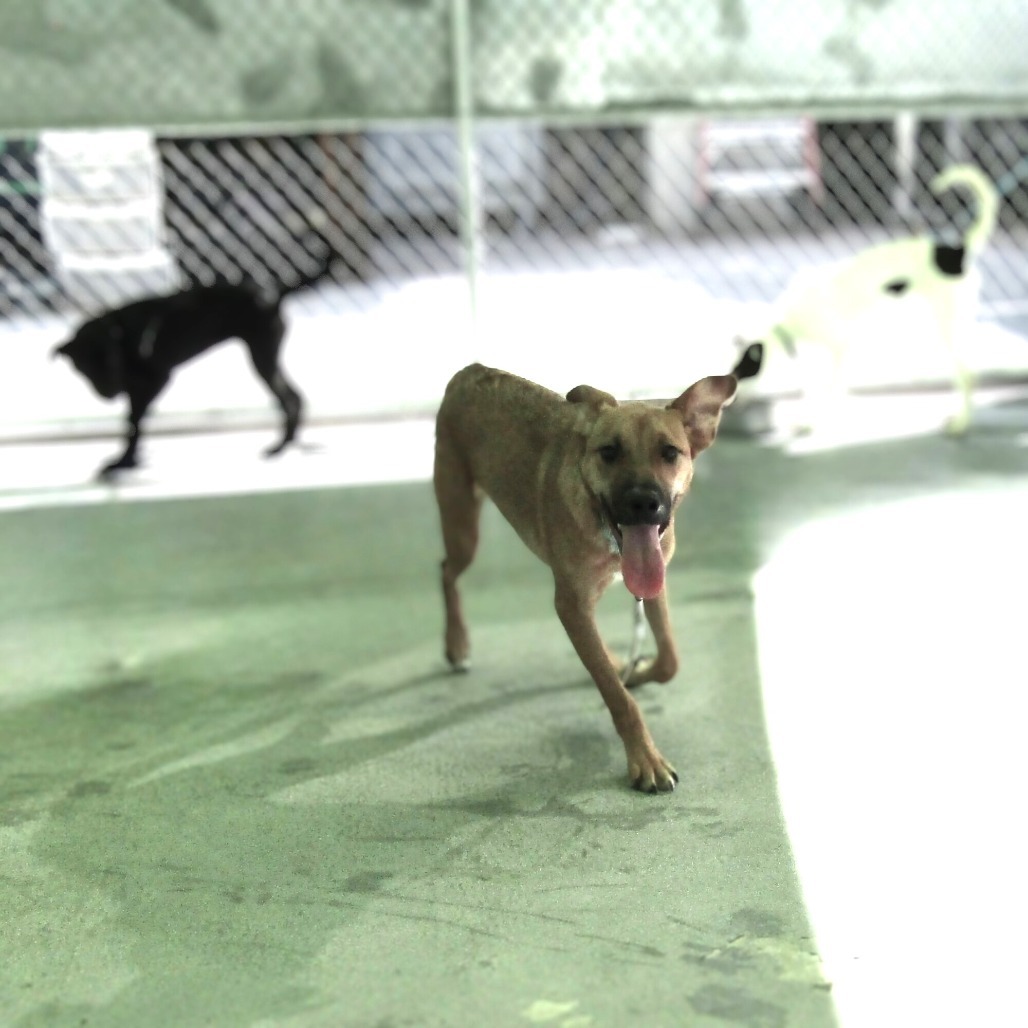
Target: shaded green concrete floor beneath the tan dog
239,788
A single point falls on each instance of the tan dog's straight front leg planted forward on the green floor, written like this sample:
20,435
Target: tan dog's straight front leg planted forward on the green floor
648,772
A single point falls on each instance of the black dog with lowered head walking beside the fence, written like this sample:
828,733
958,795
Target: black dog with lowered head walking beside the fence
134,349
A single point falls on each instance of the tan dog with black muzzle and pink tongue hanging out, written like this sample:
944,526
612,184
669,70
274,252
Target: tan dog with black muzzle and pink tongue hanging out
592,488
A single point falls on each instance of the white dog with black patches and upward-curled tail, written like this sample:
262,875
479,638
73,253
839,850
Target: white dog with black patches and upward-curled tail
837,306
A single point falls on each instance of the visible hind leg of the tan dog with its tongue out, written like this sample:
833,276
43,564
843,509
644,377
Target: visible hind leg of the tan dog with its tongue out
460,507
